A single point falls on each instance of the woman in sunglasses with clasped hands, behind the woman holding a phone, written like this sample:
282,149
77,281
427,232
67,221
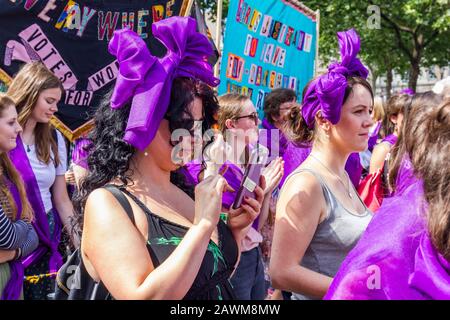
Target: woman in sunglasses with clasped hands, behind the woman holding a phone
238,123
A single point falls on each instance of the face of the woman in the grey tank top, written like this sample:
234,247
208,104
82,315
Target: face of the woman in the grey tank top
351,133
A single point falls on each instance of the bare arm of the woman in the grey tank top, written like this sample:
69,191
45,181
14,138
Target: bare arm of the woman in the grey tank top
299,211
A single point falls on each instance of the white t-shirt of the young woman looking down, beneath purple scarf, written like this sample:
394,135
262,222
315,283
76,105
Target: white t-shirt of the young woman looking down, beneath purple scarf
46,173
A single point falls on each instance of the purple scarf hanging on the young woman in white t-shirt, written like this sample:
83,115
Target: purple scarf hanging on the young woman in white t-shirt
19,158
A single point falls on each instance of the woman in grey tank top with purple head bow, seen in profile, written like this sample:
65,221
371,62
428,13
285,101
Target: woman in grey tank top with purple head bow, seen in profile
320,216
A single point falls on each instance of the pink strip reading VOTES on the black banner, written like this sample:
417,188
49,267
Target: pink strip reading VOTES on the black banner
39,42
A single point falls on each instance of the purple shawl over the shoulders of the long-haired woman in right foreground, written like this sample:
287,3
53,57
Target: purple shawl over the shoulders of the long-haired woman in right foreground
394,259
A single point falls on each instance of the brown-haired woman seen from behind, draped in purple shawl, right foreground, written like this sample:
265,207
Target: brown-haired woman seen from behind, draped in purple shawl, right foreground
405,252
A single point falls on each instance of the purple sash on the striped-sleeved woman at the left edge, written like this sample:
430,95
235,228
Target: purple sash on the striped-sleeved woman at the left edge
14,286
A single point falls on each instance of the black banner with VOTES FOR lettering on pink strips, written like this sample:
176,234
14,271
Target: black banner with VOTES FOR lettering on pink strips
71,38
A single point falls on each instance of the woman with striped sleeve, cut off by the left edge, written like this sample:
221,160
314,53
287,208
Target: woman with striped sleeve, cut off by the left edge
17,236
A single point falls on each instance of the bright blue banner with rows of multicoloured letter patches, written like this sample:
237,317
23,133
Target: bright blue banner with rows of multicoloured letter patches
268,44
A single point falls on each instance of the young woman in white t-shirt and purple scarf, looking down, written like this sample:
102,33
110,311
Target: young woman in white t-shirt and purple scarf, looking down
40,157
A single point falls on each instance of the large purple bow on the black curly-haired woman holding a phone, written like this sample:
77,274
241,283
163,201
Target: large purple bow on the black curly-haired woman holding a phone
147,80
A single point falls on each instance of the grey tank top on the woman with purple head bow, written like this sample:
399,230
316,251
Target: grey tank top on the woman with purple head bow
335,236
